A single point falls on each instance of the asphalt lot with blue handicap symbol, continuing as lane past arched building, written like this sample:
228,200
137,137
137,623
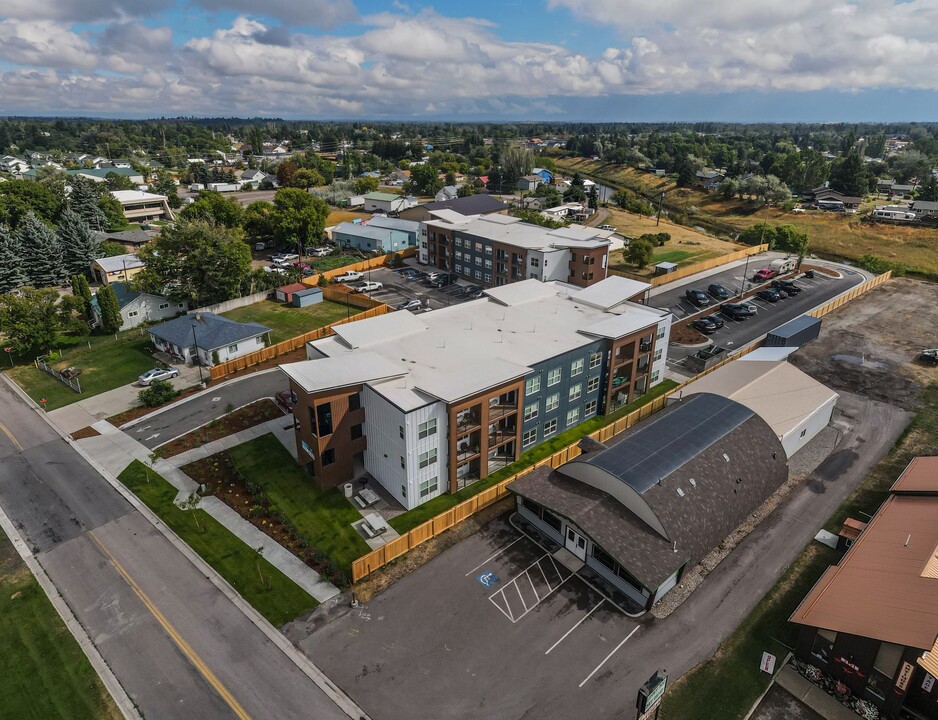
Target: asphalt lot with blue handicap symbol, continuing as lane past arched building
492,628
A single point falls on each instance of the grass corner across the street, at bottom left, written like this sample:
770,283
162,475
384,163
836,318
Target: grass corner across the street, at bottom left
43,672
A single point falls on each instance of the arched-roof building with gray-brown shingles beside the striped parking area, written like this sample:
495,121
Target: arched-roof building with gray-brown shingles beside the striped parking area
636,516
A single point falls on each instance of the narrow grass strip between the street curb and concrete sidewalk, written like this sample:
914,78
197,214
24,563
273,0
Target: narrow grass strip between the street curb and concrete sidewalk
277,598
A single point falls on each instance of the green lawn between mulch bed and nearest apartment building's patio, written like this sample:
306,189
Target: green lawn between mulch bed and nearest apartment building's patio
323,518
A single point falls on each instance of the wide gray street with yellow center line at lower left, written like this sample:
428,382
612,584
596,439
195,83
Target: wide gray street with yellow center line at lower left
177,645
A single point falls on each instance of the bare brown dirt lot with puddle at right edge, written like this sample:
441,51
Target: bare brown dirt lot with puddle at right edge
869,346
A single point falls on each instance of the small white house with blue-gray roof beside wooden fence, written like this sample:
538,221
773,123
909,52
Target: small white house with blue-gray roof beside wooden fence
207,339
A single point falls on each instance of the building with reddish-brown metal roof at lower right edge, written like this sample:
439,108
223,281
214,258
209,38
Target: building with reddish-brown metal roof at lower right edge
871,621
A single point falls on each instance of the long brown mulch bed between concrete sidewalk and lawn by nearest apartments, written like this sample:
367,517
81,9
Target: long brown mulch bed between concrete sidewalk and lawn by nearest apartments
223,480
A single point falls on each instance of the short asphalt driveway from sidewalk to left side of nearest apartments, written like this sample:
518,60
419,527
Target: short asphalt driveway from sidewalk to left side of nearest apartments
206,406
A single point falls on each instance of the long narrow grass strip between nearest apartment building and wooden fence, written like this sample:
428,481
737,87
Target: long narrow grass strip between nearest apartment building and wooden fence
420,514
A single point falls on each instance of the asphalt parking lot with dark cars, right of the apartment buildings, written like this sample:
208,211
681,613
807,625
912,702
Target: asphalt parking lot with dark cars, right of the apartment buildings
736,333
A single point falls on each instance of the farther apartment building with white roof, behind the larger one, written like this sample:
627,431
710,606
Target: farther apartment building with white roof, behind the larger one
495,250
